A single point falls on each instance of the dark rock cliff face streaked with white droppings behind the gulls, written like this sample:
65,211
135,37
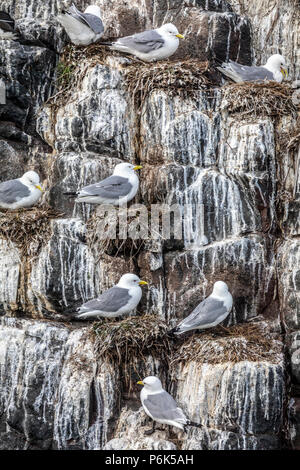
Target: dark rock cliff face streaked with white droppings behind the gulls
242,170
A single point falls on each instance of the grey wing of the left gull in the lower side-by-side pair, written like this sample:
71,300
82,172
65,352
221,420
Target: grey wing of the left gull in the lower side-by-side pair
110,301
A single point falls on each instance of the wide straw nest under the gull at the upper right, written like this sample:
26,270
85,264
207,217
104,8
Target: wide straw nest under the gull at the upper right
259,99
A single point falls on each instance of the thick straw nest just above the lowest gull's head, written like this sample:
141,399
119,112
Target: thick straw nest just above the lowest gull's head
135,337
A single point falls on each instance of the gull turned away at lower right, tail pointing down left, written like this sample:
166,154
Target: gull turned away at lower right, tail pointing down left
212,311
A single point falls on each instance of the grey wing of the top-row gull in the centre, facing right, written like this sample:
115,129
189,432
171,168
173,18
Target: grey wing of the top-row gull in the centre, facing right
143,42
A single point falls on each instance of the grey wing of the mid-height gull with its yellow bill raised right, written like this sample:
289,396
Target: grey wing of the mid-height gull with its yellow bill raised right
111,187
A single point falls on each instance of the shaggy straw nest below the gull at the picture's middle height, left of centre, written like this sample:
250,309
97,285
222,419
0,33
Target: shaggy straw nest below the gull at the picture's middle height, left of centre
102,238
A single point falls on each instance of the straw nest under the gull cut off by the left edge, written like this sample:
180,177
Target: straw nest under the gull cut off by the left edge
27,228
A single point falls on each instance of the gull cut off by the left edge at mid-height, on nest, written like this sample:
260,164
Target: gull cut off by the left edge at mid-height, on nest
20,192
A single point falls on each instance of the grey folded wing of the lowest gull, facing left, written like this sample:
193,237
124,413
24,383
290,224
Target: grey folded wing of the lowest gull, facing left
163,406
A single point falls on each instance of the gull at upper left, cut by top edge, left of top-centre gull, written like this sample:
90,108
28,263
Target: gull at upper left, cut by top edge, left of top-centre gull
82,28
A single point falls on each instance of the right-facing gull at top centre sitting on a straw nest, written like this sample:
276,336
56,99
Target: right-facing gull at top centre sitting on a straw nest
150,45
